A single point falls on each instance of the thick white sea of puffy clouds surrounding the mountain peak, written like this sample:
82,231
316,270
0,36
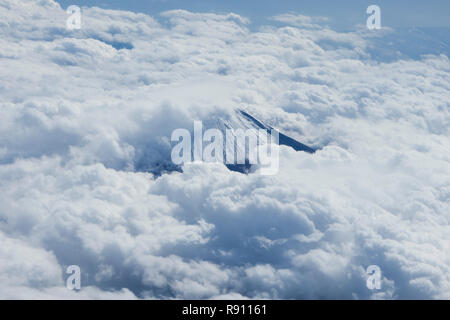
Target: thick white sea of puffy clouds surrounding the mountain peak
87,117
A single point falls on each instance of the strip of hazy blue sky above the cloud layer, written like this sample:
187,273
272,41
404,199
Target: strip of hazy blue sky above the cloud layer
342,14
